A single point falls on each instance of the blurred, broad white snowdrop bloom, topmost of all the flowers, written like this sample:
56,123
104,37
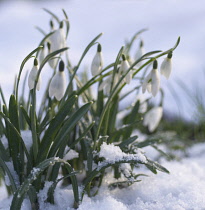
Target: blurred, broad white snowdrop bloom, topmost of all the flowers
57,39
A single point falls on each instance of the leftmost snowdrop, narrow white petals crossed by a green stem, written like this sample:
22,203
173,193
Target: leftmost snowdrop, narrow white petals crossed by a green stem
32,76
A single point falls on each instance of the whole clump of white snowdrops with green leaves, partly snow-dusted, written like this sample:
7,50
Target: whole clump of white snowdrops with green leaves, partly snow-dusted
75,136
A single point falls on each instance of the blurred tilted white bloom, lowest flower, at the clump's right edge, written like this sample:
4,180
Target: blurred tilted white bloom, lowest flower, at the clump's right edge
152,118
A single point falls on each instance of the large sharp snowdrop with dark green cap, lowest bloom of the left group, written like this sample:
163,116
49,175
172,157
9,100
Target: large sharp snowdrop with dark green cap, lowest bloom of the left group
57,85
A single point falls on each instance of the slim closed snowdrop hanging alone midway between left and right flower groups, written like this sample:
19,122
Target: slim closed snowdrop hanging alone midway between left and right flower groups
97,63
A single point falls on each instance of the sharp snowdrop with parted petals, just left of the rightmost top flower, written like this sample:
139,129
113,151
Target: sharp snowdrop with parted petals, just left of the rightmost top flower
152,81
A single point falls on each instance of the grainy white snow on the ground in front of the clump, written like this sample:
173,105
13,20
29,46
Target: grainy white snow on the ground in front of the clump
182,189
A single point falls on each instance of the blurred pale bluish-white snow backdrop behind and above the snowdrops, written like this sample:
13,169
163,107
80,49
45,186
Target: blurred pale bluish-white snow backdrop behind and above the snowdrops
118,19
